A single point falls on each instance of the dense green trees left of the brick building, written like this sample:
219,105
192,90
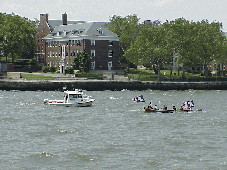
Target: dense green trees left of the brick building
17,37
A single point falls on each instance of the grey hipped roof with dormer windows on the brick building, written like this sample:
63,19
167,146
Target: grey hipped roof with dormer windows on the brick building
88,30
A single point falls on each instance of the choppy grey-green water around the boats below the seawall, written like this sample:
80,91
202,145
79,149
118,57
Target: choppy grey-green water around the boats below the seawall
114,133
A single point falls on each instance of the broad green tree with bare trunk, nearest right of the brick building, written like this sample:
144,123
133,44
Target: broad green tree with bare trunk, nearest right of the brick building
150,47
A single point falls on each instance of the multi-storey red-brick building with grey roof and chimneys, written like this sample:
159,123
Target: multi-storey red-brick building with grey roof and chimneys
58,42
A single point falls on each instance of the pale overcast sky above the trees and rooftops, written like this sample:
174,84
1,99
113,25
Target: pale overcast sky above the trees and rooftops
102,10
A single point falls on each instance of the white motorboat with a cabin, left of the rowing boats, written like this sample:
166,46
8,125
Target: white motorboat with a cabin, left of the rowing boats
72,98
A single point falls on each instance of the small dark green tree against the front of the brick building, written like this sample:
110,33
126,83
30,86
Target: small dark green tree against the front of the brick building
82,61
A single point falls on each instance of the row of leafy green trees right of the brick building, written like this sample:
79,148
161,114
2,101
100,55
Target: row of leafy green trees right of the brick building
180,41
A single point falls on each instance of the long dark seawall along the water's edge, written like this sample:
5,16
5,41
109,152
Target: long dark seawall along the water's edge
99,85
